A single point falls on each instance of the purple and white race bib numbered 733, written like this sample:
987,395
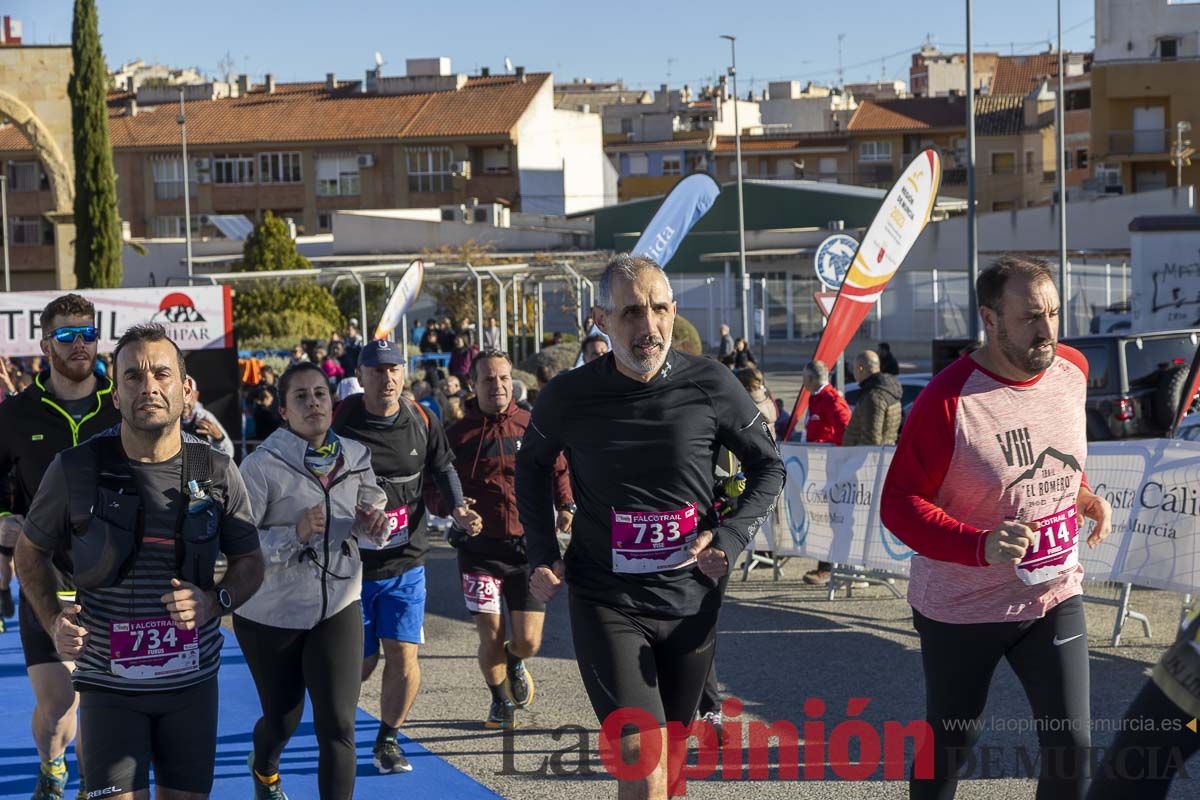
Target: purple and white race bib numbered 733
653,542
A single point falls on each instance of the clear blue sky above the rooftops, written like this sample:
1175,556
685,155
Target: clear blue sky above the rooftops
637,41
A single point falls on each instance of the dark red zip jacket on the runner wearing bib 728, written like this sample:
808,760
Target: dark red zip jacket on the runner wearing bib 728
485,450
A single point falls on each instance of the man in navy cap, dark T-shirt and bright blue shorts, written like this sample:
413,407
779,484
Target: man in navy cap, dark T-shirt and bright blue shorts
406,443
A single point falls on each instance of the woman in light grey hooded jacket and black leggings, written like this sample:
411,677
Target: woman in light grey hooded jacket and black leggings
314,495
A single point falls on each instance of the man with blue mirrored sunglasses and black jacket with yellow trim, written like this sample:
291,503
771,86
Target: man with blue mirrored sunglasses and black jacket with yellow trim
65,406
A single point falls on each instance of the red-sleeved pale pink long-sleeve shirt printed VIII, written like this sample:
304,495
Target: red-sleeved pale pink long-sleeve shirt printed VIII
976,450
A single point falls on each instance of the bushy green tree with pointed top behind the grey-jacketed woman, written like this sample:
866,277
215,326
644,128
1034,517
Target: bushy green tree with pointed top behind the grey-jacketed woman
271,309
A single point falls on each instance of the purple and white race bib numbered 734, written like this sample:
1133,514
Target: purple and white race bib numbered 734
152,648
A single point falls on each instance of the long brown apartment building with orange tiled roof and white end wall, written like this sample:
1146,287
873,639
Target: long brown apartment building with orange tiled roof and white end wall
429,139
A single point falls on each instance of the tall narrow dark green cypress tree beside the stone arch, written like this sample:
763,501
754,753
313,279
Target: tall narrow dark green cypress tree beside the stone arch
98,225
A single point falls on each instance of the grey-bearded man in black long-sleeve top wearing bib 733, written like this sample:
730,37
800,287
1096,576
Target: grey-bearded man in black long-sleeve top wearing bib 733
641,429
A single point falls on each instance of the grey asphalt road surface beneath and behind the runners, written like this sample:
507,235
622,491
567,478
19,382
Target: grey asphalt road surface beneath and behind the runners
781,643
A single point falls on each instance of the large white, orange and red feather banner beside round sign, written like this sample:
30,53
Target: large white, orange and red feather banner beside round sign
899,221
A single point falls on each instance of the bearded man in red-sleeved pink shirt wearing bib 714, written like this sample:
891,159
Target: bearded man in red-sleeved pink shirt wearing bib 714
988,488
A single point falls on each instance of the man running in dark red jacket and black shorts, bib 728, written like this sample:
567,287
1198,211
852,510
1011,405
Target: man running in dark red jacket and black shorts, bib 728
494,564
